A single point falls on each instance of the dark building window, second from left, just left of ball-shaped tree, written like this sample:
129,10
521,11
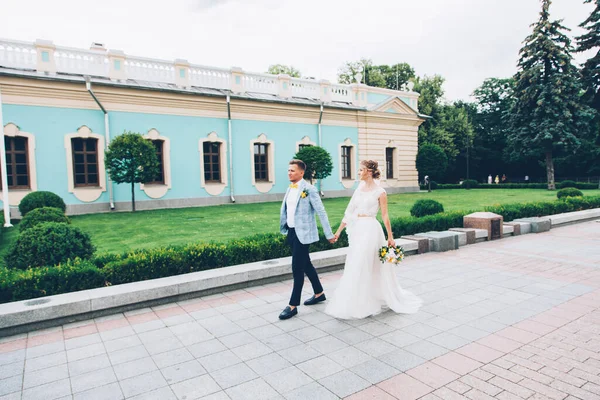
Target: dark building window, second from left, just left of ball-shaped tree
85,162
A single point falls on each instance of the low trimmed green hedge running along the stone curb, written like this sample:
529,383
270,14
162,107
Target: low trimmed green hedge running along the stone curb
109,269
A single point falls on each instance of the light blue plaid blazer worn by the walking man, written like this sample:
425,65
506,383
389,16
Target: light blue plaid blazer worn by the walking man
306,224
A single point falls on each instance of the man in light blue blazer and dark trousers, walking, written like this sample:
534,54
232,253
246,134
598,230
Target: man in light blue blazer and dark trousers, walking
297,220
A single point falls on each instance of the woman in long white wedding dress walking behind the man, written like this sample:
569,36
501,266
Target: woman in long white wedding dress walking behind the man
367,286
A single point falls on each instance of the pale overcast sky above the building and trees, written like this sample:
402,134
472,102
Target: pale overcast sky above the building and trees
465,41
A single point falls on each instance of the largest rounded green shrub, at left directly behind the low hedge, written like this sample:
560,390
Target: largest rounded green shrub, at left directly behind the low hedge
48,244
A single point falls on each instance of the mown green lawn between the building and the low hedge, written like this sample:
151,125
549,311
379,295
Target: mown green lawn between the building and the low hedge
117,232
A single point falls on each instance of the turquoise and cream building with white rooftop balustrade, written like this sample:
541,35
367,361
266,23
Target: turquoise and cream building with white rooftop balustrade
222,135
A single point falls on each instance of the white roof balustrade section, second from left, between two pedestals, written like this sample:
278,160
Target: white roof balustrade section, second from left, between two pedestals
77,61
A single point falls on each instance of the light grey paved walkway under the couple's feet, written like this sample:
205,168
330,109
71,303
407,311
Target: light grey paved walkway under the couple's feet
517,318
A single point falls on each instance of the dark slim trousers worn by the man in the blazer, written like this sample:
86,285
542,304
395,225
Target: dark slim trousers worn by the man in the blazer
301,265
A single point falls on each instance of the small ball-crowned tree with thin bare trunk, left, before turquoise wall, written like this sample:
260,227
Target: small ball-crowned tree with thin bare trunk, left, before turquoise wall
131,159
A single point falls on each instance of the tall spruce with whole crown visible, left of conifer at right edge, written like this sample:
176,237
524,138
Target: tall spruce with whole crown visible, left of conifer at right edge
547,113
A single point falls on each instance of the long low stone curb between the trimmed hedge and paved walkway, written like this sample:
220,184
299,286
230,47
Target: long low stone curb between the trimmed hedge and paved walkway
23,316
